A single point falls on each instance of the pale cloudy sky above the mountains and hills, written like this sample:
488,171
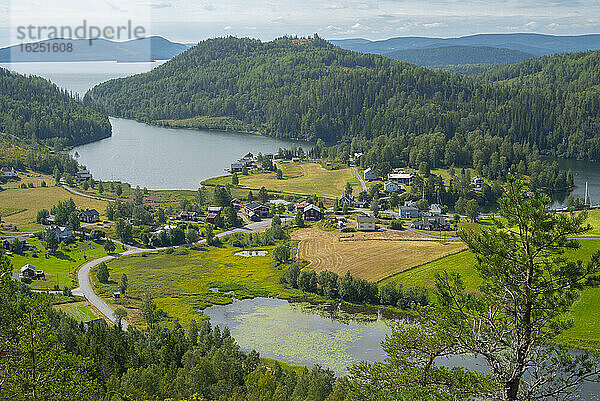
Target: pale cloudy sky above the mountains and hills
194,20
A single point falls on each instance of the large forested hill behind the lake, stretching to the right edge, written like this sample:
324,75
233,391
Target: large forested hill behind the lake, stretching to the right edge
312,89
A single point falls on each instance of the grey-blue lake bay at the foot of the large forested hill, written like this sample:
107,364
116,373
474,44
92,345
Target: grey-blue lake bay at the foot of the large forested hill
164,158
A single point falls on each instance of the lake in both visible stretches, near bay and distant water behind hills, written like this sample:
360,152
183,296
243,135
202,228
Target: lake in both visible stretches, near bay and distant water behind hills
144,155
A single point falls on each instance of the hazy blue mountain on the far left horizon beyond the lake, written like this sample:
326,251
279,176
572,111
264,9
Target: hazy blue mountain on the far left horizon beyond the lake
146,49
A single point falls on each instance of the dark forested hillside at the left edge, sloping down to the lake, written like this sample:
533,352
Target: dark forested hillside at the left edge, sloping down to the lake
34,108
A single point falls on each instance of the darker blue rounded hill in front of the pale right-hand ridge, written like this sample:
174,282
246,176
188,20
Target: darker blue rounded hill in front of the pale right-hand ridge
459,55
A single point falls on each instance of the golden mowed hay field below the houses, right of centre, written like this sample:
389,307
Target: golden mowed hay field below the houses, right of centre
372,256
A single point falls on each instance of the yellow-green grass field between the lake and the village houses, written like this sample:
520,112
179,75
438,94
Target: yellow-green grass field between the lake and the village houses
298,179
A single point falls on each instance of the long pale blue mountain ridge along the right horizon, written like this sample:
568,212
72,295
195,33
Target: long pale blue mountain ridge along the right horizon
533,43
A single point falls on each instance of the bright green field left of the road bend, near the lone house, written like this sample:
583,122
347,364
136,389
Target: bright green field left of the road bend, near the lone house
61,267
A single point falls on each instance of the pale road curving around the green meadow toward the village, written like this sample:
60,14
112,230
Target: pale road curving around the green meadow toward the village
85,286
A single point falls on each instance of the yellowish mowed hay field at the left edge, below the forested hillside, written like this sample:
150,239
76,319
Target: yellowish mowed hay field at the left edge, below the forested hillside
20,206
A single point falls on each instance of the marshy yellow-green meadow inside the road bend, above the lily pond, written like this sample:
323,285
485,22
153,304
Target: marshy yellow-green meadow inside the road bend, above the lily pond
180,284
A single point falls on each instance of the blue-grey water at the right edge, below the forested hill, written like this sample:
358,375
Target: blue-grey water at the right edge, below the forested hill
582,172
